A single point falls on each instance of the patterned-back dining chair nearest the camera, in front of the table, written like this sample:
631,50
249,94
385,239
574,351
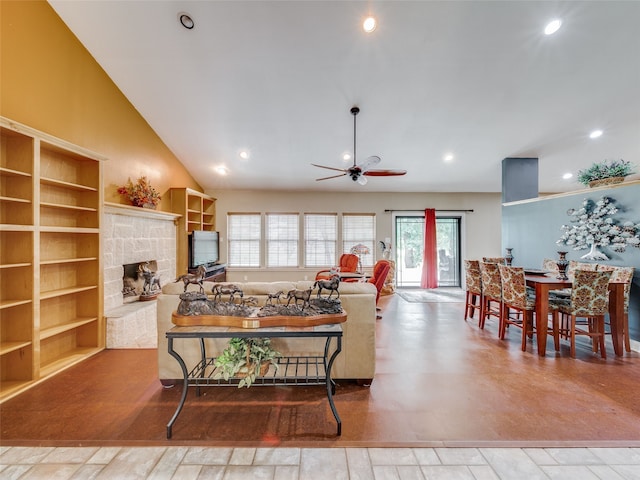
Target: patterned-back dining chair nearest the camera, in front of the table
590,301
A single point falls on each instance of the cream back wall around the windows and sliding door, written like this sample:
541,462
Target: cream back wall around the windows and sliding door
481,237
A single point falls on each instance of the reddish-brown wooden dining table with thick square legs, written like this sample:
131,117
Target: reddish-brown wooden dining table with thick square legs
543,284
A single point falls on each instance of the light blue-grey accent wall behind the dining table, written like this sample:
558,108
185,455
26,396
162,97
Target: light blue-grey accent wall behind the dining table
532,228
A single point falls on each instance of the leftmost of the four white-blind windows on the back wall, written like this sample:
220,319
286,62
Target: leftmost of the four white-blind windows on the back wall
244,236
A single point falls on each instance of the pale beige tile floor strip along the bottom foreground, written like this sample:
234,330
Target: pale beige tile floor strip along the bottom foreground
185,463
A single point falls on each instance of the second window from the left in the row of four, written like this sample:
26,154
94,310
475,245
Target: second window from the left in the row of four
282,232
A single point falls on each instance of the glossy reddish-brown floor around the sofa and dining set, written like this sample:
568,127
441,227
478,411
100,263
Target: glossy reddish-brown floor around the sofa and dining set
440,381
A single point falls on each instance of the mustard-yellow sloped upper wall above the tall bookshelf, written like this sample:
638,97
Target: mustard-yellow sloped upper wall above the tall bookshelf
50,82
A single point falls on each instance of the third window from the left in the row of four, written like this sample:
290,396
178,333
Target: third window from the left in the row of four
320,239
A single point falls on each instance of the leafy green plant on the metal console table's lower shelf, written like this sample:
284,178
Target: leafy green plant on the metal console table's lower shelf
246,358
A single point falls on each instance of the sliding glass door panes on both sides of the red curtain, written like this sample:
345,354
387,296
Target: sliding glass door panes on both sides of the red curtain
409,233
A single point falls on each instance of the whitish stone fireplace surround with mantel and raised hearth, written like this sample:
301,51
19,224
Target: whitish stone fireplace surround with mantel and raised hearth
131,235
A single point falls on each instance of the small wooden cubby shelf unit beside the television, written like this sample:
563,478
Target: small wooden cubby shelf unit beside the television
198,212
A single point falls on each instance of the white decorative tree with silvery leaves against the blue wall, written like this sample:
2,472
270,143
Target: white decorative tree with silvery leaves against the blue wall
593,226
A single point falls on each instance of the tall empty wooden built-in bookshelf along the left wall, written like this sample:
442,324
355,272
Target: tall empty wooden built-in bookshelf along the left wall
50,262
